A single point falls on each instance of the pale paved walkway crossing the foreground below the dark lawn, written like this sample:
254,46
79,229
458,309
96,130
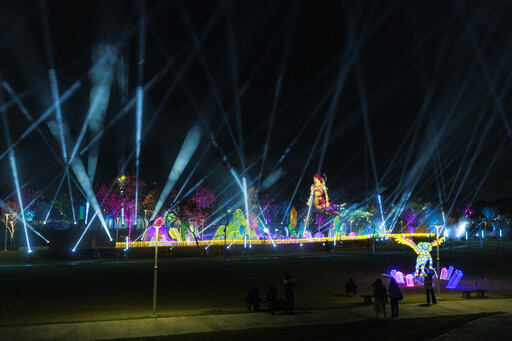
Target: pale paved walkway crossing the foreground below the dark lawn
499,325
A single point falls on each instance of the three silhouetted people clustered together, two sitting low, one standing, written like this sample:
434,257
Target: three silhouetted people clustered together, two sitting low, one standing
273,303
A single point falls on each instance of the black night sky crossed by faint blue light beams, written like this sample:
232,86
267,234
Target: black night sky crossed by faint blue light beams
432,79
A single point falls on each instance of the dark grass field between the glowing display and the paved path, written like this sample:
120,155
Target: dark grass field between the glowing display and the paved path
96,290
